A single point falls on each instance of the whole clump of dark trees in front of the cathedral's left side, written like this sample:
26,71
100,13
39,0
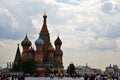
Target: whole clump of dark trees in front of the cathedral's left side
27,65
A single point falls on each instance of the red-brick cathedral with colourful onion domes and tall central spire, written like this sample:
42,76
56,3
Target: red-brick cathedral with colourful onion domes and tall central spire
46,56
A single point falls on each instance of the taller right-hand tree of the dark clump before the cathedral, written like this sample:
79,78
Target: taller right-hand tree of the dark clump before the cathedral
29,65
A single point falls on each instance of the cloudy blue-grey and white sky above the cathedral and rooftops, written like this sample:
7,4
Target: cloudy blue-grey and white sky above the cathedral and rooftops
89,29
